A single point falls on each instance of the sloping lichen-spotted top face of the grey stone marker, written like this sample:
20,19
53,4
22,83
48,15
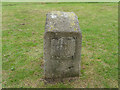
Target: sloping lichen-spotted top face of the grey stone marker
57,21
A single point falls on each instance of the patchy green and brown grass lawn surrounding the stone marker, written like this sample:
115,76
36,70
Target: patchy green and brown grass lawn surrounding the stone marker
22,44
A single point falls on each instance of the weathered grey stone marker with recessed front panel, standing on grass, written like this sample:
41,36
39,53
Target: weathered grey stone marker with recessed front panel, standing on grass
62,45
